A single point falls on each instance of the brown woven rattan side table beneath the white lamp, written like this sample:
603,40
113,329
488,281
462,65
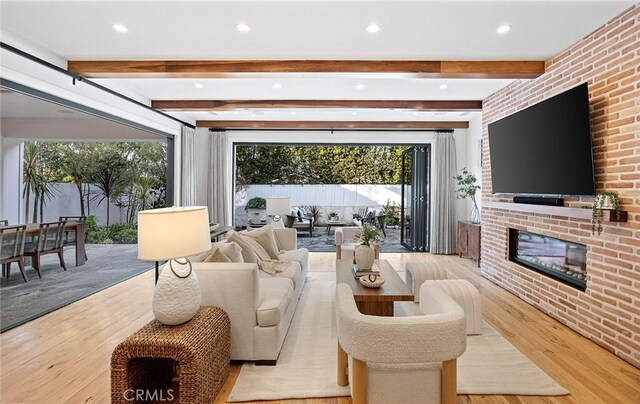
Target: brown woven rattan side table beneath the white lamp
197,352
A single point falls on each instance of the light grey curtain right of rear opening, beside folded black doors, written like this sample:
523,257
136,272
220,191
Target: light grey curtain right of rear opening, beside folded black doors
444,223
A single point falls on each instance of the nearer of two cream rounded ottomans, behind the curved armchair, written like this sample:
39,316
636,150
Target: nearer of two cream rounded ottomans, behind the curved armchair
465,294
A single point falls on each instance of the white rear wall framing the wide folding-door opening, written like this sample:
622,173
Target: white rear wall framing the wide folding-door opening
330,137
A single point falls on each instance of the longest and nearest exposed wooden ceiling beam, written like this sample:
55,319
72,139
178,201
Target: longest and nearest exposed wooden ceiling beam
305,68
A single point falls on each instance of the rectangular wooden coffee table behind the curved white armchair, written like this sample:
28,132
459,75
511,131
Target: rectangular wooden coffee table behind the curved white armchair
375,302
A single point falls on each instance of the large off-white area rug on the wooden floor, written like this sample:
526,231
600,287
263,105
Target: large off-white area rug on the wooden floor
307,364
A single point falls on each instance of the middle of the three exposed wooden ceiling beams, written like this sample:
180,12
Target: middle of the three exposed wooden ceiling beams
225,105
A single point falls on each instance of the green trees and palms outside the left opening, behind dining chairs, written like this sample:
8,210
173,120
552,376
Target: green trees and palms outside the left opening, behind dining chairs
131,175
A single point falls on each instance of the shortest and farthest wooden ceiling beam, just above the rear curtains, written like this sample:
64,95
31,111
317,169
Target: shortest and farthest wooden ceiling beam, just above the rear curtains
333,124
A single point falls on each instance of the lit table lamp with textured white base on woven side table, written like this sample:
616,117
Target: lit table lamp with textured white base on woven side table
173,234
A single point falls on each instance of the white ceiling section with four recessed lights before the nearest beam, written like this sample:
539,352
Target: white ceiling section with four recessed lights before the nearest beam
410,30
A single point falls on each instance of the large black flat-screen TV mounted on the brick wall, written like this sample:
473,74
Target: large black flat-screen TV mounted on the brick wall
544,149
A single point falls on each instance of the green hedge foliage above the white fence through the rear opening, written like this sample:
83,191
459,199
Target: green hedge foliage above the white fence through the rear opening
258,164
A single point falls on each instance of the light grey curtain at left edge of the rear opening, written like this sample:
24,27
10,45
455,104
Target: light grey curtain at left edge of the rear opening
218,187
